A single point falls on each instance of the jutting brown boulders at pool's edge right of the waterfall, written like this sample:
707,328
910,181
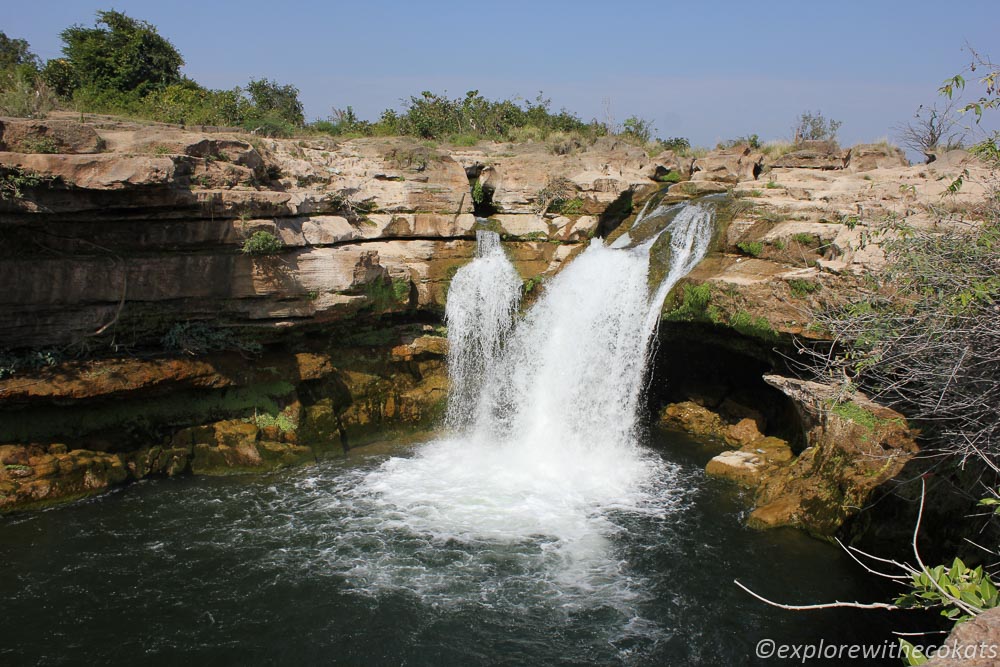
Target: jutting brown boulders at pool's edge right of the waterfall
851,447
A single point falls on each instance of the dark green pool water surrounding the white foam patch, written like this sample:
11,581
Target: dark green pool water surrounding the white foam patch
313,566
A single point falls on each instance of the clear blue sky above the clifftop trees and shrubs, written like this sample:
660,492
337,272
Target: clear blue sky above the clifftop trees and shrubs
707,70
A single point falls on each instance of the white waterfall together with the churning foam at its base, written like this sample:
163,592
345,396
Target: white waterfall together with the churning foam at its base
523,497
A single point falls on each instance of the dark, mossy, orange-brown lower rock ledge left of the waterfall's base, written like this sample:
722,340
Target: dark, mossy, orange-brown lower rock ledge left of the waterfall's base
97,424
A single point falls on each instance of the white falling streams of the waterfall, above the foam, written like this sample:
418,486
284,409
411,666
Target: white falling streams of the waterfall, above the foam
570,373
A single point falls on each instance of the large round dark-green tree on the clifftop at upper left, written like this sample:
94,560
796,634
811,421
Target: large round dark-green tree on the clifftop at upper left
121,54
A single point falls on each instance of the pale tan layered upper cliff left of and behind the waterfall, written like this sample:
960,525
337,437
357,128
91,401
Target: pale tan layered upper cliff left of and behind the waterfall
149,232
